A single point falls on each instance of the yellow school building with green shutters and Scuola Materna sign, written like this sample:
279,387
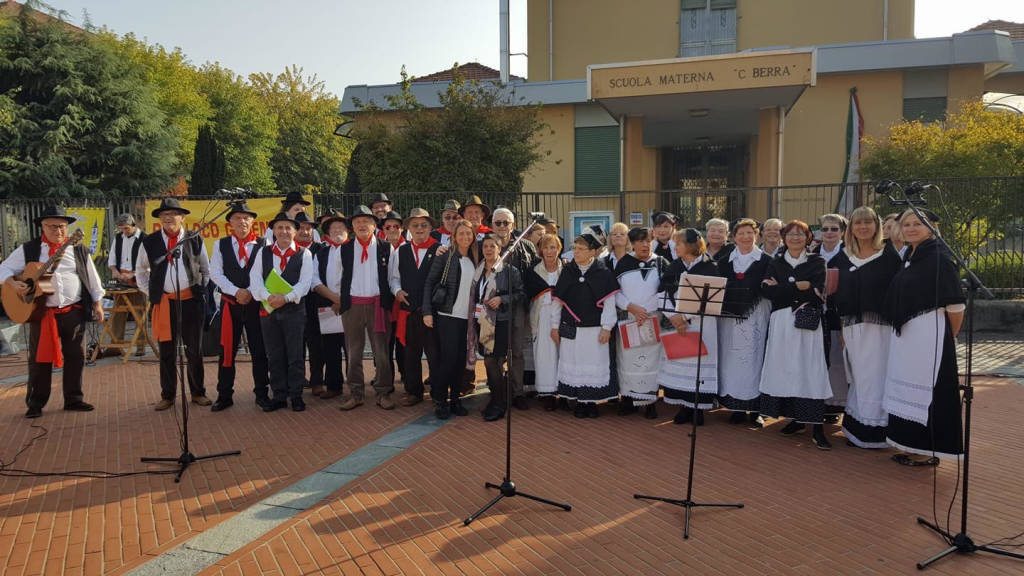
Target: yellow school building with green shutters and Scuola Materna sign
724,95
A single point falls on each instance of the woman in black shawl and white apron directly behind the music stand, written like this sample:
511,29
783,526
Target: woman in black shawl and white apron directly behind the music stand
677,377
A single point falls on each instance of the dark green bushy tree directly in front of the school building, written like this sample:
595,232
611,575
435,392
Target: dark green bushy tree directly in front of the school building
478,141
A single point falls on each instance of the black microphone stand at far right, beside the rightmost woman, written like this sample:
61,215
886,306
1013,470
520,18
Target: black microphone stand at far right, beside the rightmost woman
960,543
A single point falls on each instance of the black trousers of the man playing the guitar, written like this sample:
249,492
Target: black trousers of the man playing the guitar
71,331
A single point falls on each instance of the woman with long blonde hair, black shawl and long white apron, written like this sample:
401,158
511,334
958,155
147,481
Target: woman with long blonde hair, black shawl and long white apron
866,268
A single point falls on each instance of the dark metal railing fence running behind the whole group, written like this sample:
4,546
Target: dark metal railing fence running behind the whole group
983,218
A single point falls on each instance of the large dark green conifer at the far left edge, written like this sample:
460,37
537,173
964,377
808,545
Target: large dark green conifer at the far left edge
75,120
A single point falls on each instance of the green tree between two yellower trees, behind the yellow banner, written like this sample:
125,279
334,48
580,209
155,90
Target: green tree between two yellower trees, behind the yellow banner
243,127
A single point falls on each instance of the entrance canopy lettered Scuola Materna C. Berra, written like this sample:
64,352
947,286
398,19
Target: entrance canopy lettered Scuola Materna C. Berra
708,100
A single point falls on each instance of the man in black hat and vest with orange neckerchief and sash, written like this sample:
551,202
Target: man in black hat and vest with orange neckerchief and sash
191,273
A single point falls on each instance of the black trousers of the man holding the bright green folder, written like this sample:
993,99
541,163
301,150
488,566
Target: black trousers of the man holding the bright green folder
283,338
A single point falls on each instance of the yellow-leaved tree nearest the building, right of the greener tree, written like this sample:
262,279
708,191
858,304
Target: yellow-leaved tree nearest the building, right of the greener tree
307,154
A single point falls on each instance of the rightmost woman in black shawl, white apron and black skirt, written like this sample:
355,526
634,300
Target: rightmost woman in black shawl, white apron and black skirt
925,305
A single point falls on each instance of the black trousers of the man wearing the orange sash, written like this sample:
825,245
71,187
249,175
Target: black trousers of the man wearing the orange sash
193,318
